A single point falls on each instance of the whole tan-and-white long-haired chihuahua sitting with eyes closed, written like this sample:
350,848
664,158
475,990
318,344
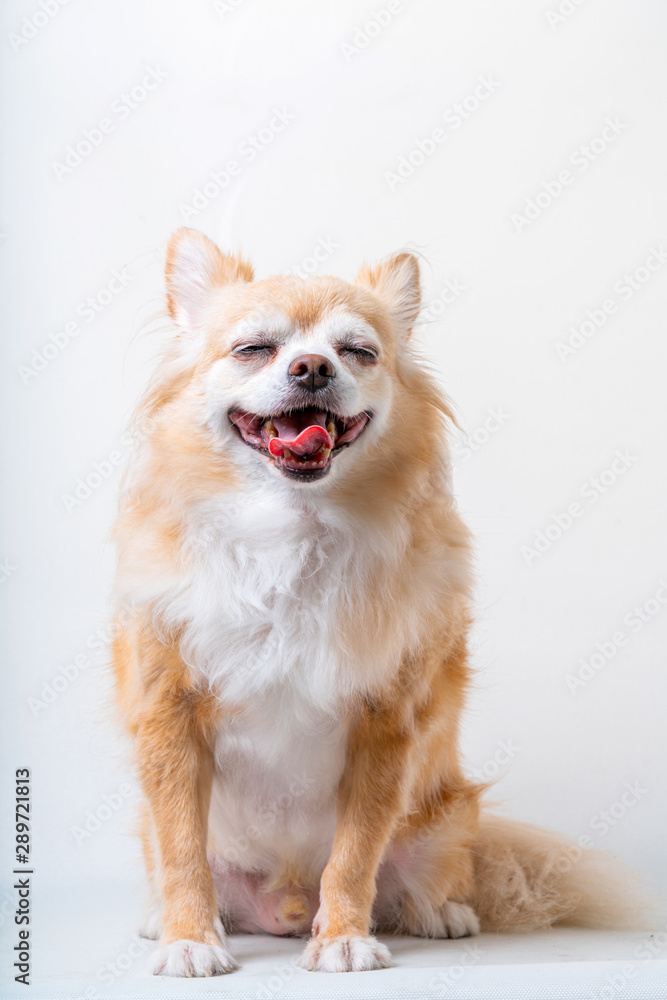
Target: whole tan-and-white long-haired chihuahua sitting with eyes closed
290,657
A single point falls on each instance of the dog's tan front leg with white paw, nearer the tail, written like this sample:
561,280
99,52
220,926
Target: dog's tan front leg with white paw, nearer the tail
370,800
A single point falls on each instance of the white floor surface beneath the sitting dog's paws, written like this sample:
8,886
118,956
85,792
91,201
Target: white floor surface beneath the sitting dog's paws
84,948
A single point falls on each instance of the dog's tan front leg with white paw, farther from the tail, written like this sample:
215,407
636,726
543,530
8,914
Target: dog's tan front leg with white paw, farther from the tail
176,766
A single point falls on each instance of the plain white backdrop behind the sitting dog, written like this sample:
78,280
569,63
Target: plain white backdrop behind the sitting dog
325,177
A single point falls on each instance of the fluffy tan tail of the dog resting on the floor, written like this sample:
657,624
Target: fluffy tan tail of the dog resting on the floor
527,878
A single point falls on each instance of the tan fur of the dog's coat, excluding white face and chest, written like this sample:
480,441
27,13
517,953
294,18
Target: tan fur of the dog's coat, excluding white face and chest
403,790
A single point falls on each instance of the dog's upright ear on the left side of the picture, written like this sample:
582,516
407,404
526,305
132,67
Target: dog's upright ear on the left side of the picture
194,266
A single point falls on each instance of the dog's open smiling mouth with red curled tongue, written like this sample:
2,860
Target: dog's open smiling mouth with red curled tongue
301,443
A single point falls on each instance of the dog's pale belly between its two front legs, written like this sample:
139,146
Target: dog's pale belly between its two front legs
273,810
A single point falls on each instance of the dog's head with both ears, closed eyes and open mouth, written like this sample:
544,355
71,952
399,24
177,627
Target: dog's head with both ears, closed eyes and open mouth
301,380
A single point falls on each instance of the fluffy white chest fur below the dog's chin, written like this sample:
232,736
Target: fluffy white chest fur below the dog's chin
263,611
